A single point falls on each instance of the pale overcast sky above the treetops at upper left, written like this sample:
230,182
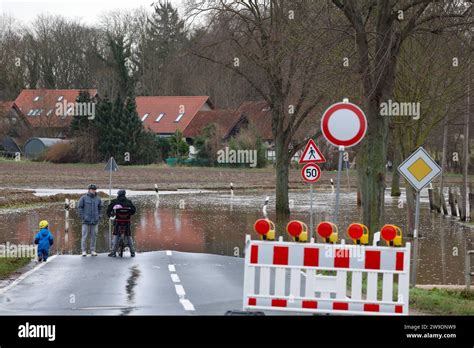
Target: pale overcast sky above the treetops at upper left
88,11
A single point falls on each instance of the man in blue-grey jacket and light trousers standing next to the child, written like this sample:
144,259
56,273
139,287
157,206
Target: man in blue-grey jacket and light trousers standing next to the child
90,207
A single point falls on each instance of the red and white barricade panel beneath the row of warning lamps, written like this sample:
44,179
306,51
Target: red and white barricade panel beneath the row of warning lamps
326,278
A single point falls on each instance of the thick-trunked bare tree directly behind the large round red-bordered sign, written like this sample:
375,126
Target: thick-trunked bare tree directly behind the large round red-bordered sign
380,28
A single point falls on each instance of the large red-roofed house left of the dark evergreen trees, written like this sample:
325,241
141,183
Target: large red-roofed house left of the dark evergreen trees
47,110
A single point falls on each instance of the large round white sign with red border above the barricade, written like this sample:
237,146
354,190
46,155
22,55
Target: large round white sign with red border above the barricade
344,124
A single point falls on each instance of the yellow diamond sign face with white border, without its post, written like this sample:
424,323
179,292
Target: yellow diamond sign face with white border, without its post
419,169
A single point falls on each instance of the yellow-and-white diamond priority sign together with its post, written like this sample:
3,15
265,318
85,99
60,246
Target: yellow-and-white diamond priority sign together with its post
419,169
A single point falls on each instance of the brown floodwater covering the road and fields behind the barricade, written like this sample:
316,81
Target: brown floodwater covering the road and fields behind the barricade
216,223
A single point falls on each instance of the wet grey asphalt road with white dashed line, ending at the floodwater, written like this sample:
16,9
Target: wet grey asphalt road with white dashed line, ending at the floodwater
152,283
